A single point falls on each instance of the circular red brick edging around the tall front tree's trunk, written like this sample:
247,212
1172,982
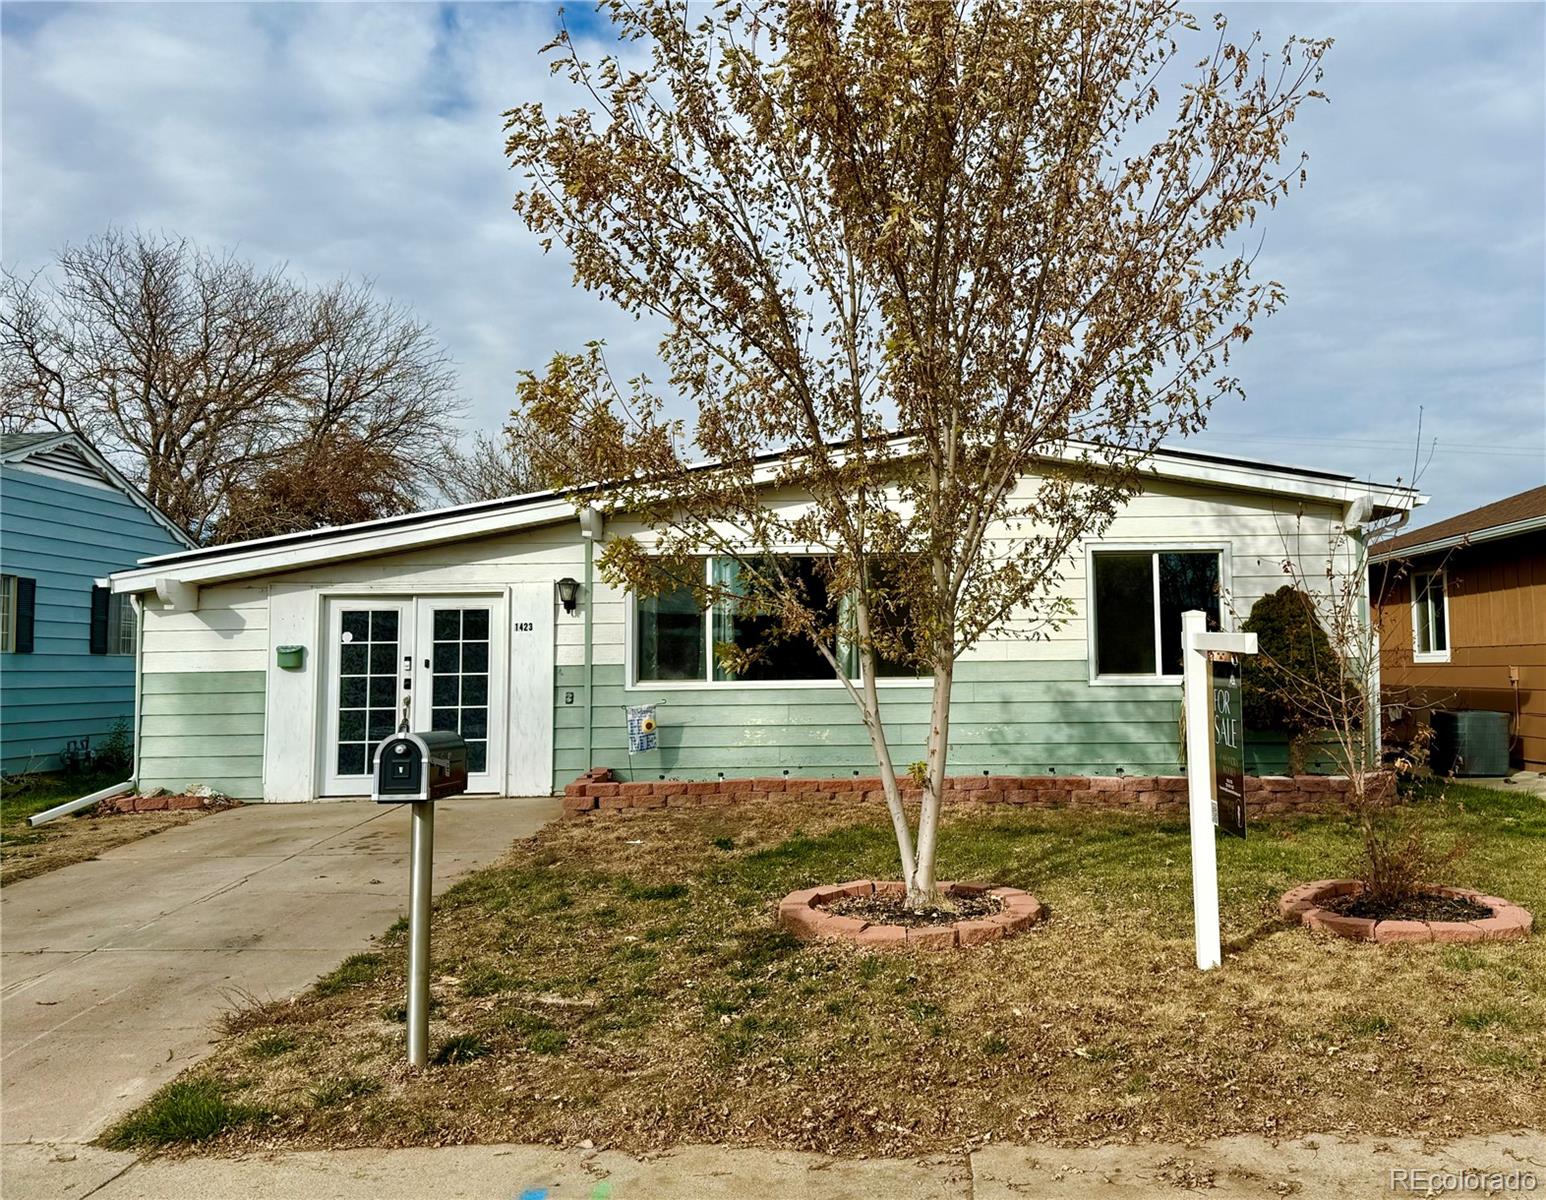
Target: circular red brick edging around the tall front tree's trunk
805,915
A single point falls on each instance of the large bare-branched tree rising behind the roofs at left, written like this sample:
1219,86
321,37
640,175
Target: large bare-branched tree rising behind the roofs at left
206,377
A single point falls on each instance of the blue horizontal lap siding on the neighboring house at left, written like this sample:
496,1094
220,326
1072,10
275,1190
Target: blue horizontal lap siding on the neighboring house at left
66,536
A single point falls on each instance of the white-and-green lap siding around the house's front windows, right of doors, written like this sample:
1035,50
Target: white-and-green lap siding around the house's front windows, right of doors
1021,704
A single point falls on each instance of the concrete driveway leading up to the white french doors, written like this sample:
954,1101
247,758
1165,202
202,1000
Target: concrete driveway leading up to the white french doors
114,972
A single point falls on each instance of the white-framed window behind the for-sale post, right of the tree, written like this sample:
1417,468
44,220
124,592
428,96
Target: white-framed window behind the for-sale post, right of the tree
1137,599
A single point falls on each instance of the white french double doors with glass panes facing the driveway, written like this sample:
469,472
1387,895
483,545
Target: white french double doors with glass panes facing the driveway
435,663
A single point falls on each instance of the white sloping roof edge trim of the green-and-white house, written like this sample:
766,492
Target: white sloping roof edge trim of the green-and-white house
483,519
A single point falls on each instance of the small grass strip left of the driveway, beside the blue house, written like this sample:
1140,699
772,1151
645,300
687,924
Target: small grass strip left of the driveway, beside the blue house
27,853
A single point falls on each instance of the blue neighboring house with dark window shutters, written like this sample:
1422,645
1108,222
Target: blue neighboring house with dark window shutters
67,646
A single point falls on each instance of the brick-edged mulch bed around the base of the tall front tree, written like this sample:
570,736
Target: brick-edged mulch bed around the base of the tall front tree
876,915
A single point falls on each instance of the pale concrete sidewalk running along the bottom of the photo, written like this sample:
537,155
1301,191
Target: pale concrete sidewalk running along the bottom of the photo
1324,1168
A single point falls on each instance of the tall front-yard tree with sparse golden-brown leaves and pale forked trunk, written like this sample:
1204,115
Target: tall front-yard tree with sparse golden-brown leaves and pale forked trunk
947,257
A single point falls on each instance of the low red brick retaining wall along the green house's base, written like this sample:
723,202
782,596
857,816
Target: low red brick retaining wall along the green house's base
1267,796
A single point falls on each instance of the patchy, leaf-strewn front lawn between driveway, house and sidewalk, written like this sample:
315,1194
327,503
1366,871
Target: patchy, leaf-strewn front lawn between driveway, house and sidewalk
622,980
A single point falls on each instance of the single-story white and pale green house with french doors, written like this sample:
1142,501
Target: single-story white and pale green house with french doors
271,669
